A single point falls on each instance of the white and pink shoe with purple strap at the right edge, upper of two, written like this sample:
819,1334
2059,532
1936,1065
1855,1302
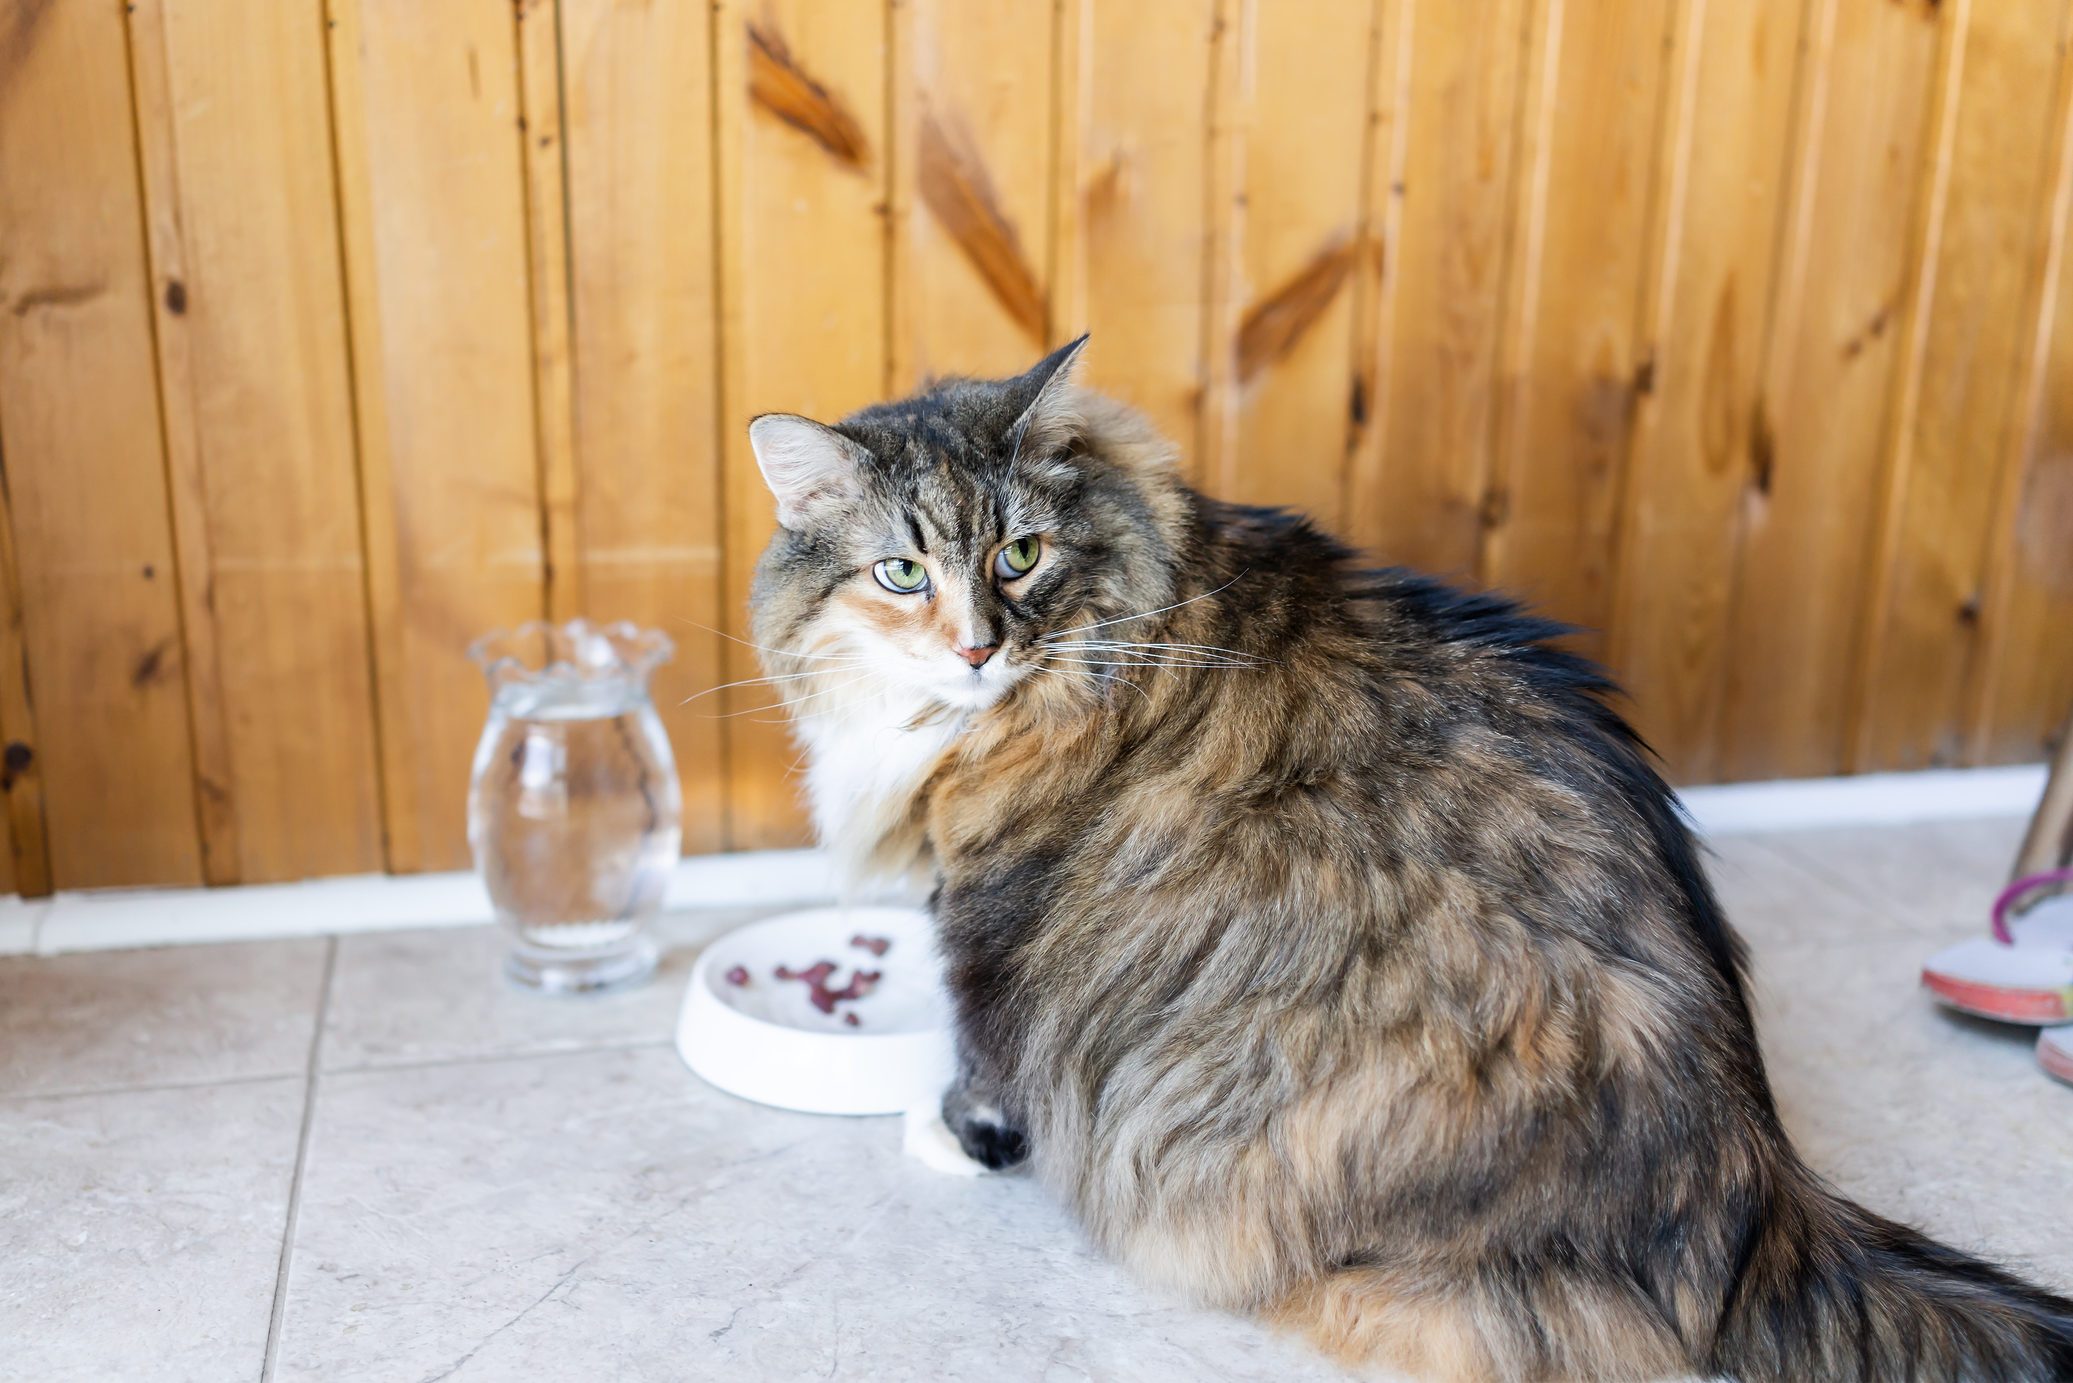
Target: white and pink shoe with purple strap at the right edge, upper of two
2022,973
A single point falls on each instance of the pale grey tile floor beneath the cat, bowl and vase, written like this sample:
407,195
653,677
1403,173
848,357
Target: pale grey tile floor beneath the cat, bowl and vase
364,1158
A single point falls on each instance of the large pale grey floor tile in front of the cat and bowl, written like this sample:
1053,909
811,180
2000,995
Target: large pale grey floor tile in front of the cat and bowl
606,1216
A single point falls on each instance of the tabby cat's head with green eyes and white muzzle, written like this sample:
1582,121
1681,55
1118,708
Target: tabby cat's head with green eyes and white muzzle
942,544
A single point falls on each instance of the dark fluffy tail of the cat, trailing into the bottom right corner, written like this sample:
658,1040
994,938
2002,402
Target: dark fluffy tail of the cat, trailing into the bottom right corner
1829,1291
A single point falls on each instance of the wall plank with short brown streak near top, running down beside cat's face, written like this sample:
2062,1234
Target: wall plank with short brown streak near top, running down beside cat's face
801,98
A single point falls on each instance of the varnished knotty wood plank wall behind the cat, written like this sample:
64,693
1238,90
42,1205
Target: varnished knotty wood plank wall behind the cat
335,333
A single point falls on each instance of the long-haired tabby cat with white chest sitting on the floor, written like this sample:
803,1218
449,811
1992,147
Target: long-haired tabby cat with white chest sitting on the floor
1317,932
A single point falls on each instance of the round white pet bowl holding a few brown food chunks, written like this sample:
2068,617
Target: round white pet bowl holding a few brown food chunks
766,1040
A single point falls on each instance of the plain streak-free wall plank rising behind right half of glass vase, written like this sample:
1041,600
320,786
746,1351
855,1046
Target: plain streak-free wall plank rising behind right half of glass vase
646,358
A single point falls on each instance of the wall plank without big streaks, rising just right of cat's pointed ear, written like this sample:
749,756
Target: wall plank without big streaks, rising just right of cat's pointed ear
1133,202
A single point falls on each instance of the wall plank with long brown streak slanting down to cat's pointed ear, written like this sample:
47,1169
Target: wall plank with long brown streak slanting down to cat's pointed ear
971,217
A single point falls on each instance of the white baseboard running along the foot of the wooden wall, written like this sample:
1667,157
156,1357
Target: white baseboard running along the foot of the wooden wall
107,920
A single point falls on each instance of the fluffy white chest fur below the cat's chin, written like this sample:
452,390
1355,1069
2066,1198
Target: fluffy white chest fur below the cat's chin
863,766
